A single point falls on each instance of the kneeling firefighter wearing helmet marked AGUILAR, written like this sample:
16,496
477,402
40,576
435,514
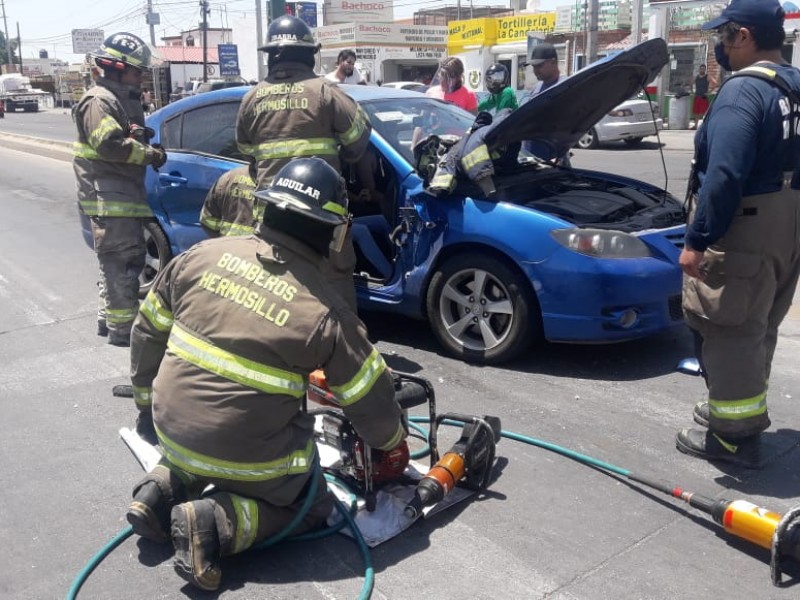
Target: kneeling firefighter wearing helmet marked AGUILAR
220,357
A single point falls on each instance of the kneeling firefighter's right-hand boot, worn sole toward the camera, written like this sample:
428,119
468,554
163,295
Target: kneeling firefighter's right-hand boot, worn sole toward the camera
197,543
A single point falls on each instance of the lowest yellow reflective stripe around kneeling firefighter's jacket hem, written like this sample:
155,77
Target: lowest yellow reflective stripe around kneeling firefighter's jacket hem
202,465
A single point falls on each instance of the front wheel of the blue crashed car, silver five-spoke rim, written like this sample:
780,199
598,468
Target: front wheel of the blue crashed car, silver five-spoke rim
510,318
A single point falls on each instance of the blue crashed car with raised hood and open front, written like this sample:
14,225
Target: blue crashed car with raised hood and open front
567,255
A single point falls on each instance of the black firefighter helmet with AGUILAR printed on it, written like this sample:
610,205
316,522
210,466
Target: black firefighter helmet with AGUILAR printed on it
309,187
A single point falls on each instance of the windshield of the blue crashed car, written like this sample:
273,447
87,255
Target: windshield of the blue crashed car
403,122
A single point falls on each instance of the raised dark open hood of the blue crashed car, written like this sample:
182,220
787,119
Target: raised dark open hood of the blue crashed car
558,117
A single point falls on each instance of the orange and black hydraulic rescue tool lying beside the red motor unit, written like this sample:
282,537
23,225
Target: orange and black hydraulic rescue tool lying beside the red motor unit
470,459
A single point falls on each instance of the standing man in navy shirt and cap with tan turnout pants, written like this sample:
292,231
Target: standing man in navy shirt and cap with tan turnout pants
741,256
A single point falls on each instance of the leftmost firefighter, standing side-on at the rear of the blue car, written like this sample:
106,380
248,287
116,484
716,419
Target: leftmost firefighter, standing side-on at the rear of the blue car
110,158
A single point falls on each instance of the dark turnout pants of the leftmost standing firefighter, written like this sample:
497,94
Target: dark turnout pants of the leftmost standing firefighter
120,248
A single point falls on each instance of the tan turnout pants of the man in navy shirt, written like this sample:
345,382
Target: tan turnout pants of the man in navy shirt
750,278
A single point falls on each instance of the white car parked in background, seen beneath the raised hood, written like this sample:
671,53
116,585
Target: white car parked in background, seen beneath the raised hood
631,122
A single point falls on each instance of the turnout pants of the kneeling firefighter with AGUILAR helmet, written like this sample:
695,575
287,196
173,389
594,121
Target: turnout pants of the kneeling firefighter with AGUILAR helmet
249,518
